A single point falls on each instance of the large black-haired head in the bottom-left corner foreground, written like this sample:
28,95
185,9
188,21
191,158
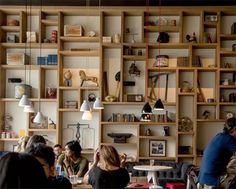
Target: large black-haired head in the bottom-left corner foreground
21,171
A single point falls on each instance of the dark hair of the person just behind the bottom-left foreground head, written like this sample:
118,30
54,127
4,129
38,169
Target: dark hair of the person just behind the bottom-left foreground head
42,151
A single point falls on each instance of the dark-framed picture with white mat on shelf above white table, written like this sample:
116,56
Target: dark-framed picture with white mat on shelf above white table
157,148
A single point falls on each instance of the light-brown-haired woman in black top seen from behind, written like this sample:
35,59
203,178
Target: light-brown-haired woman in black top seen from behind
106,171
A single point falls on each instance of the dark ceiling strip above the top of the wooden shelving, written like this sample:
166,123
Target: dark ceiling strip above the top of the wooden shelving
120,2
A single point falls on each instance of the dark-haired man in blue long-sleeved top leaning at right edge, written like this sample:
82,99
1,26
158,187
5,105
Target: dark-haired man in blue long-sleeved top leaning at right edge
217,155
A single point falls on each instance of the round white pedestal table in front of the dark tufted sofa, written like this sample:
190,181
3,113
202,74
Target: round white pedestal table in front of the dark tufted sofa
152,172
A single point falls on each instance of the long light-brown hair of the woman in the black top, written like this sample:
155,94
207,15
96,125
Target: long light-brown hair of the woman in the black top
109,155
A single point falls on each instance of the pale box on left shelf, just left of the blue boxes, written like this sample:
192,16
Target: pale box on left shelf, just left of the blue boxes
17,59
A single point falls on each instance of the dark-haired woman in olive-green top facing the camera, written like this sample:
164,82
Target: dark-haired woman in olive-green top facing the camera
71,161
